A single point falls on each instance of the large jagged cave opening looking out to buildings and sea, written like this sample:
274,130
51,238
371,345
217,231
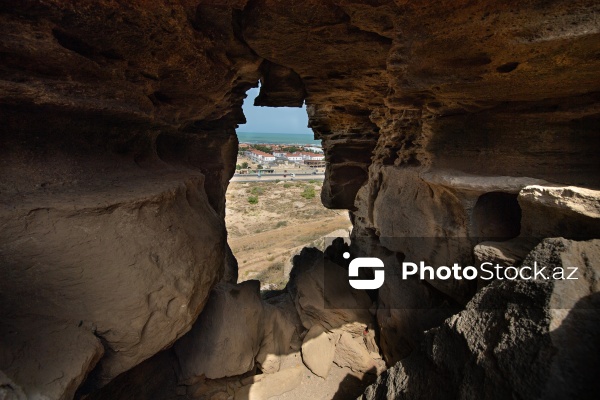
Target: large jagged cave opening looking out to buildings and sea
273,206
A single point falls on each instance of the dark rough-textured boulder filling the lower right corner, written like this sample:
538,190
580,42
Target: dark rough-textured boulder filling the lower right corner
529,339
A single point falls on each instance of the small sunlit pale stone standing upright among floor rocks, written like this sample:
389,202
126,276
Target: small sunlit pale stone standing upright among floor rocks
318,350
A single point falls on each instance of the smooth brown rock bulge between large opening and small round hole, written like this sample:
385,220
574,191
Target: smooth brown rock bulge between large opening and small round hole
434,227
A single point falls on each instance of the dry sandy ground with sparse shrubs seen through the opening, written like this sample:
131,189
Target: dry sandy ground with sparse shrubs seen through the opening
266,235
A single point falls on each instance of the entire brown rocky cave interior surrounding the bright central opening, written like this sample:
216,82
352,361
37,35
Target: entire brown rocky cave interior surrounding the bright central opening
438,120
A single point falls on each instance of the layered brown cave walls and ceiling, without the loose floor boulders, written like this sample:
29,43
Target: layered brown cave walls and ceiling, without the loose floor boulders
474,121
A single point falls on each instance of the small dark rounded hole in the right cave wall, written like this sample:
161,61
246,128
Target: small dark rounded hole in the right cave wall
496,216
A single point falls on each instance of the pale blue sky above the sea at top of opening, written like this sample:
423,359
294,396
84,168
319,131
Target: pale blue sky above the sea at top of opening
273,119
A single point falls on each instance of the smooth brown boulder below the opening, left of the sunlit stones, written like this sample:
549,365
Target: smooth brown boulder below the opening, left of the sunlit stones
226,337
